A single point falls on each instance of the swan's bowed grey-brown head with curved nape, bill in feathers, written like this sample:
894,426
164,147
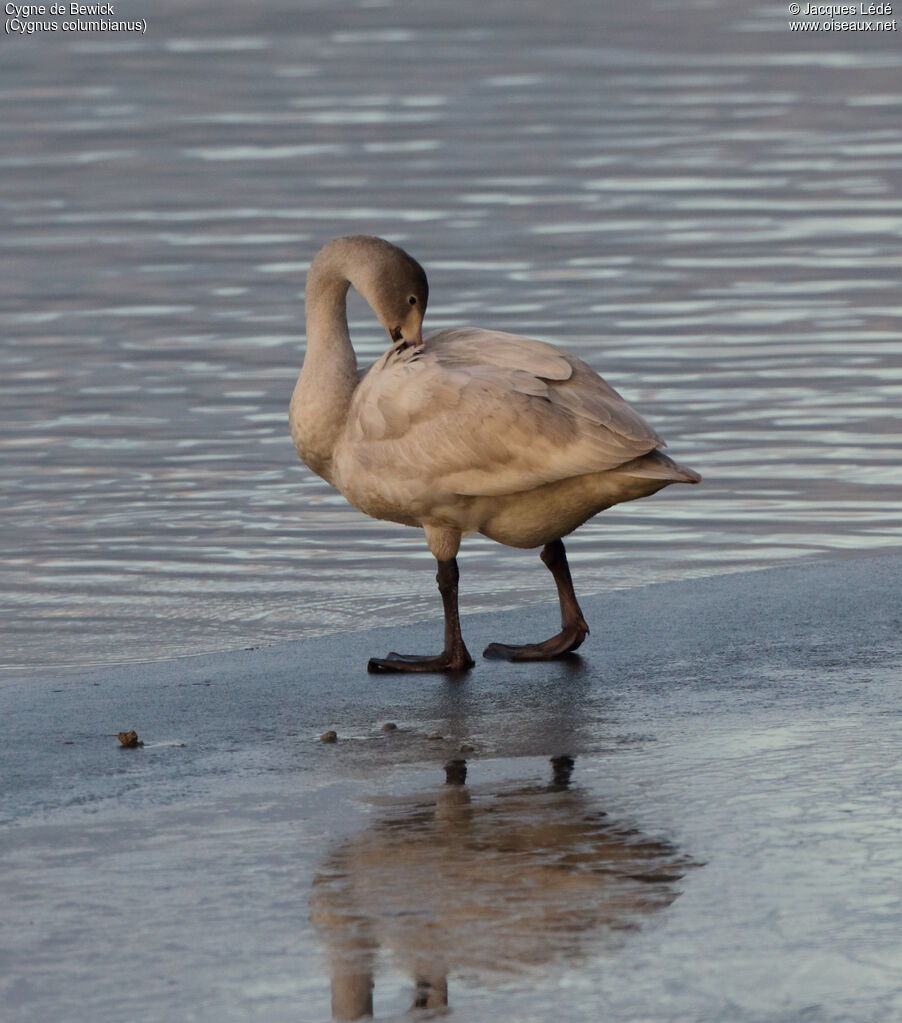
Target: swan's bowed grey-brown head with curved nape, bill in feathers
393,283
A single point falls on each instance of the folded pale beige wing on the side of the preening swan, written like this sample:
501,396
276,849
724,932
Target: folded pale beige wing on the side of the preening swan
482,413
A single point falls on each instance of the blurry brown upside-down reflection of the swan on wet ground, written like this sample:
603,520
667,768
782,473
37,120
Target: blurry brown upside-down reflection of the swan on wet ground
484,884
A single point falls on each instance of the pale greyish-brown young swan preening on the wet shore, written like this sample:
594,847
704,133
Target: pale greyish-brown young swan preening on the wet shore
463,431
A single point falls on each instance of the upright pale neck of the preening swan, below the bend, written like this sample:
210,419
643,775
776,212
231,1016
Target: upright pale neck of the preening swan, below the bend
323,396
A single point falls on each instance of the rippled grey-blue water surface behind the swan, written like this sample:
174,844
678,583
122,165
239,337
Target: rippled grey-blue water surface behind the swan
701,204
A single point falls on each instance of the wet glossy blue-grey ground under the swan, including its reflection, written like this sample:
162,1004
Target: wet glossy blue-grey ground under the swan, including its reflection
728,847
